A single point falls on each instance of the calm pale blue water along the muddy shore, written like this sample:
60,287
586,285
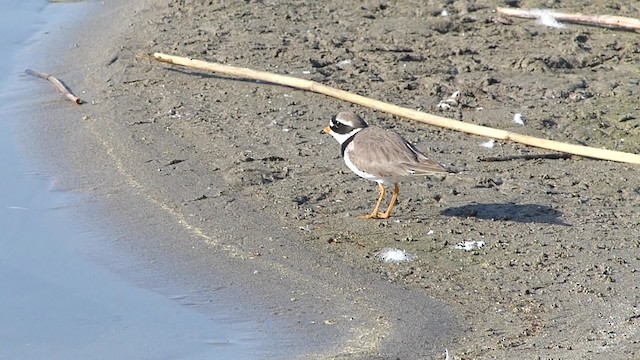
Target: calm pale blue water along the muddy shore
56,300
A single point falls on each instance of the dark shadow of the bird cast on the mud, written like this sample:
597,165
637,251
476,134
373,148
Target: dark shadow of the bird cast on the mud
524,213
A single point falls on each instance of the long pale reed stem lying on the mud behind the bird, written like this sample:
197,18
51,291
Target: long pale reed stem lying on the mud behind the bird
400,111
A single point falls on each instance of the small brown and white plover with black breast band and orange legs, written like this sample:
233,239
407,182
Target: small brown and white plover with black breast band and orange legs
379,155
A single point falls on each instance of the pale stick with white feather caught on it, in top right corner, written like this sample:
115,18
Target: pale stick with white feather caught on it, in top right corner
608,21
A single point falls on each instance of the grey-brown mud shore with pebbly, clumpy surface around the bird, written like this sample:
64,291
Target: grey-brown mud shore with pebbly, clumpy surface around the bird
558,276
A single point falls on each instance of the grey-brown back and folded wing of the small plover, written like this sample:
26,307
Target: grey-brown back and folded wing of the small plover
387,154
